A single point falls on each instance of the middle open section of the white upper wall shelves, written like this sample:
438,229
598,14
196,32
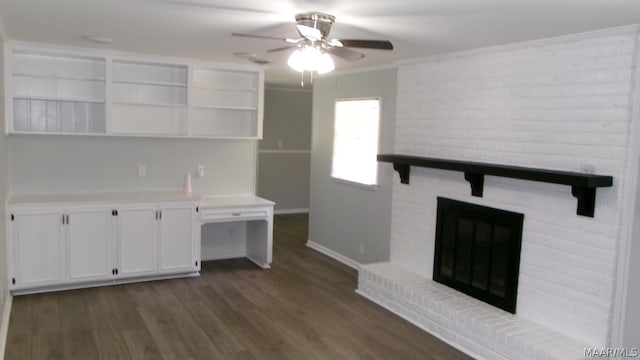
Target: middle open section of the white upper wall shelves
149,99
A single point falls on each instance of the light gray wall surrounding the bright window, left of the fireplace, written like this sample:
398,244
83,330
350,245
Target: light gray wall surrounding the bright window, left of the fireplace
342,216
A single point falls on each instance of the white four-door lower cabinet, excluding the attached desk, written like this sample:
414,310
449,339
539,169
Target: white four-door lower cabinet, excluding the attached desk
79,244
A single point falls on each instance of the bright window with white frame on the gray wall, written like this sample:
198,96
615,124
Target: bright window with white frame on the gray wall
355,141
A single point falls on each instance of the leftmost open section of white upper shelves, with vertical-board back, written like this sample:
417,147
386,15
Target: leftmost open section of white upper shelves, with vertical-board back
56,93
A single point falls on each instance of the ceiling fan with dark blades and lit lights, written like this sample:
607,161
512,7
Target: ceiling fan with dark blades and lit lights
314,28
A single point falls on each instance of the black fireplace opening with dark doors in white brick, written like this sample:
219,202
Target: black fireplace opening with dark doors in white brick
477,251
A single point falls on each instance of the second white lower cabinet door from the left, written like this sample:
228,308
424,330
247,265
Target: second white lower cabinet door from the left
91,244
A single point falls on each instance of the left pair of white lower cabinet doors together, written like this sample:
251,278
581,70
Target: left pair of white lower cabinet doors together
54,246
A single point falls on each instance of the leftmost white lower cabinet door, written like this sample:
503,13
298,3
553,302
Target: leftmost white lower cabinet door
39,248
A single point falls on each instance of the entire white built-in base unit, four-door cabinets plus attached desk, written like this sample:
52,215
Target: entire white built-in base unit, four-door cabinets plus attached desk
63,241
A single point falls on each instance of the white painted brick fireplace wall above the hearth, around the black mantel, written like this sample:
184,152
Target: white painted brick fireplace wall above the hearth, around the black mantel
559,105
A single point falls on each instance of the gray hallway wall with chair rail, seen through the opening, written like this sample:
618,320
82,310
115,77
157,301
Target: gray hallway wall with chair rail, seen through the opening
284,156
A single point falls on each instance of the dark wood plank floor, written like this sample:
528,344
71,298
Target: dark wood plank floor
304,307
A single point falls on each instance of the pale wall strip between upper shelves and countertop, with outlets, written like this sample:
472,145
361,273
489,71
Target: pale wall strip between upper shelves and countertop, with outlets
79,163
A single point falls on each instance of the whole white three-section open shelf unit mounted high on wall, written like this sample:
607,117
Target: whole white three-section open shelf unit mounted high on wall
52,90
